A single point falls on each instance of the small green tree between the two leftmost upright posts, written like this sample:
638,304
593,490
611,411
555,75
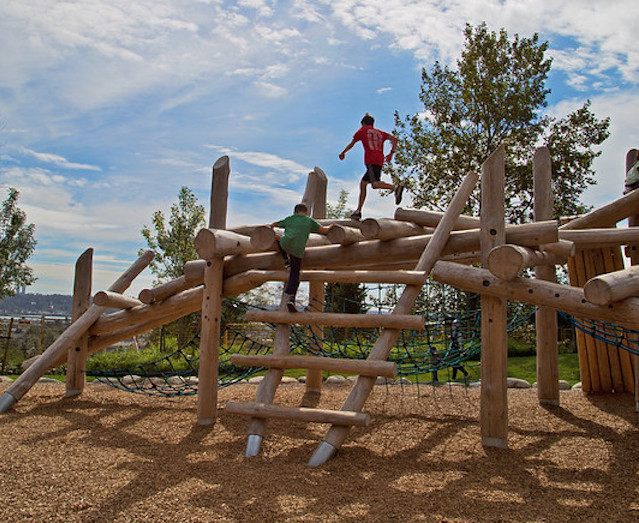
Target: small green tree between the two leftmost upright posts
174,244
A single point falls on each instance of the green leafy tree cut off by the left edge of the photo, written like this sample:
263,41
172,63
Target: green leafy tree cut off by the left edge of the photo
17,243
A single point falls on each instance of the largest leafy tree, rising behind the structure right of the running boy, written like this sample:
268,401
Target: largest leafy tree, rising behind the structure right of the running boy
495,95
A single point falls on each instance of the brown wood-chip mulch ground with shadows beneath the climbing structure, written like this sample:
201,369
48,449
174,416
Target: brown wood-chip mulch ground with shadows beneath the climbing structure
109,456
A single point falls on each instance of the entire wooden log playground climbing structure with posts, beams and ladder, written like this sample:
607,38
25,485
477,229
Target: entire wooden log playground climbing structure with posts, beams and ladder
410,248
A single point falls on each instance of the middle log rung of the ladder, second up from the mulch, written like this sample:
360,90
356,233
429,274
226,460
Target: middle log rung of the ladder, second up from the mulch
346,366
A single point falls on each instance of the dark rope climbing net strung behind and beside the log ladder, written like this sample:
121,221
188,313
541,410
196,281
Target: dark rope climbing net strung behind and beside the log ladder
450,340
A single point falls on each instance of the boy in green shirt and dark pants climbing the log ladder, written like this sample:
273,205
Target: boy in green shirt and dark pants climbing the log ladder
292,245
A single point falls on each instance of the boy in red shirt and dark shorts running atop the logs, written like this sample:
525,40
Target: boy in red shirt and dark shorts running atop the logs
373,141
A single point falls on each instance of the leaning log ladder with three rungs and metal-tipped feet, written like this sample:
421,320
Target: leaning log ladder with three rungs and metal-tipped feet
368,370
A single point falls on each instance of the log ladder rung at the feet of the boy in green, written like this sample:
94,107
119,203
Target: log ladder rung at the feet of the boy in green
389,321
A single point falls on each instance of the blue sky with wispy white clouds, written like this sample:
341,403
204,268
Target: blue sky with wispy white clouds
109,107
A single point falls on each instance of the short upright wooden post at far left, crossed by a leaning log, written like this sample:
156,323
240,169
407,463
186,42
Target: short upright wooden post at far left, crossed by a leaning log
77,353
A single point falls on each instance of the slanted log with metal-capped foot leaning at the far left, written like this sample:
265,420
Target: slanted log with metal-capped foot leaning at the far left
70,336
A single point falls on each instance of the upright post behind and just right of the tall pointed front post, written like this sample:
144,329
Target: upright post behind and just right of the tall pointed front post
545,317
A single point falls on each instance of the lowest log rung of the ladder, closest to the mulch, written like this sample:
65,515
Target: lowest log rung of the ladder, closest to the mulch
262,410
